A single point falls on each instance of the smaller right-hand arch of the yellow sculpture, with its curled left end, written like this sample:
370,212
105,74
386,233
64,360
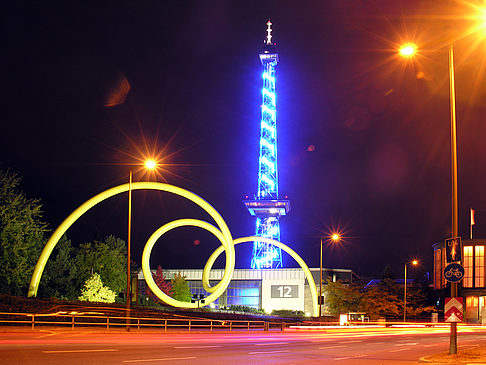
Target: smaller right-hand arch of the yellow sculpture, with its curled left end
303,265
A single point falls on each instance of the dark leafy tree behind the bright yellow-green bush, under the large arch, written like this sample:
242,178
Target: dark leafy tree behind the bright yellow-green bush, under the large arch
107,258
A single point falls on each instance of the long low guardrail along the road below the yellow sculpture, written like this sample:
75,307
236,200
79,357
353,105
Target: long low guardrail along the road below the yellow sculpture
76,320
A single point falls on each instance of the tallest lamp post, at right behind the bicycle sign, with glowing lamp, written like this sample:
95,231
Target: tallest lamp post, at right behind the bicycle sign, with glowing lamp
408,51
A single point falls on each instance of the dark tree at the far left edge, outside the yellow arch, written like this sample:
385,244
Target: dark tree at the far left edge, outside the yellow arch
21,235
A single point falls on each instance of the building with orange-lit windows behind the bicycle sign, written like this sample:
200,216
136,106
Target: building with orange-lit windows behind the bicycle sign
472,286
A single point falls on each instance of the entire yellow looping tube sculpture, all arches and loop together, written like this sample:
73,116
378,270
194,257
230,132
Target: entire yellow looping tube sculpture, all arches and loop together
223,234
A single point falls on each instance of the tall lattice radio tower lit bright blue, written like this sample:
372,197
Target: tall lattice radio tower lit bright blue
266,206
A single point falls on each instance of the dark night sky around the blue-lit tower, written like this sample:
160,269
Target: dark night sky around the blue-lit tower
363,135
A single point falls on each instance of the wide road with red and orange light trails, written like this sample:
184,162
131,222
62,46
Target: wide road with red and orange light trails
333,346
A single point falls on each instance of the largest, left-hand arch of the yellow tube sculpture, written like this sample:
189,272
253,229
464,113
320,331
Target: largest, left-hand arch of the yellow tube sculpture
225,233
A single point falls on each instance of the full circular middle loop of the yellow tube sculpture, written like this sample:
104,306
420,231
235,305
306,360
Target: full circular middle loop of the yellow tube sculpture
217,290
